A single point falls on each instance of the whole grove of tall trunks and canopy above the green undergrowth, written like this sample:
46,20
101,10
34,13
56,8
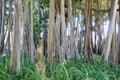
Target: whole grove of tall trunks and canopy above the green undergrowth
63,30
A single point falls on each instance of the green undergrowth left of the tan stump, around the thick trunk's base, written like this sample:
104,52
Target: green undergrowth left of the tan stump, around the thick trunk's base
27,71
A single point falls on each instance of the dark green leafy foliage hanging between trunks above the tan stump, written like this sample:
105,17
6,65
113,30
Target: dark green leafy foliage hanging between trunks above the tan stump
40,23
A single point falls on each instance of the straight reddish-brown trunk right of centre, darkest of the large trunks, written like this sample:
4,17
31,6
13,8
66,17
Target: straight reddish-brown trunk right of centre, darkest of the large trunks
88,7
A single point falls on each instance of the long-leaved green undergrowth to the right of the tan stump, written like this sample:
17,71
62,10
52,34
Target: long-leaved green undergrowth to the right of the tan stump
77,70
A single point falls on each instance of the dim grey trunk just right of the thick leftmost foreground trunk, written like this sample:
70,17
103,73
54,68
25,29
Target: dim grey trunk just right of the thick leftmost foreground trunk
26,31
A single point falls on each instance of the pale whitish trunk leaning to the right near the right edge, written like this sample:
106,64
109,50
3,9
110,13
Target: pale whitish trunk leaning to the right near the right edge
107,45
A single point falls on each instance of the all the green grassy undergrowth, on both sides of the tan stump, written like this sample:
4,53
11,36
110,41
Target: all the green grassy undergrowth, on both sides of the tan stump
70,70
